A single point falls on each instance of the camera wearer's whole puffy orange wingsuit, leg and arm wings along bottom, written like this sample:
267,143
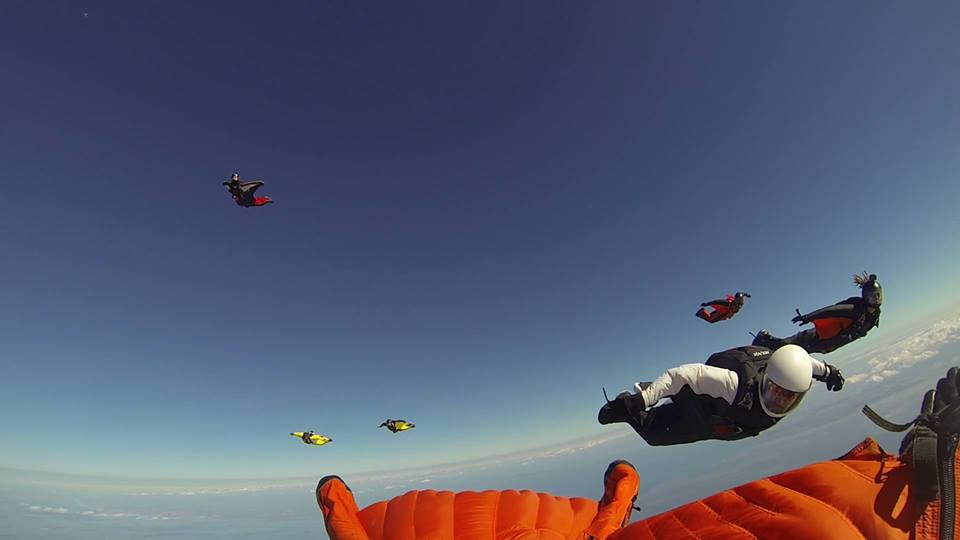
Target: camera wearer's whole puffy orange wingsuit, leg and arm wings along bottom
863,495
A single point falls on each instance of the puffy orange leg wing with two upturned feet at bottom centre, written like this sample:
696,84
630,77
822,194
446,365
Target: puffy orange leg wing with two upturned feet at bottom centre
486,515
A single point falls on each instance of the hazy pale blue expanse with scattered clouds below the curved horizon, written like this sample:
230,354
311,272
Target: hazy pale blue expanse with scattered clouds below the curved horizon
892,378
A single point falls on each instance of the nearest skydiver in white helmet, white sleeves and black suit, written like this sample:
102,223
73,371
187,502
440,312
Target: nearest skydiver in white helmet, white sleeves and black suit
738,393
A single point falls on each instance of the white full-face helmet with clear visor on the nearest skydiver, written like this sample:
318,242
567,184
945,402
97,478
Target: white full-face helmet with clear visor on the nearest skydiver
786,380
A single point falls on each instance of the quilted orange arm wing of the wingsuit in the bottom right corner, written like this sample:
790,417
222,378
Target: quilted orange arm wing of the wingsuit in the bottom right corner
864,494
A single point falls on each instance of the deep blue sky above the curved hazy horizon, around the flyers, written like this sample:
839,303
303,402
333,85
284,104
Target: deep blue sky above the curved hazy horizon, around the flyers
483,215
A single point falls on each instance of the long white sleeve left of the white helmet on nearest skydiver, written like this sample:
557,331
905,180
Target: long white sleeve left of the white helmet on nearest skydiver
701,378
